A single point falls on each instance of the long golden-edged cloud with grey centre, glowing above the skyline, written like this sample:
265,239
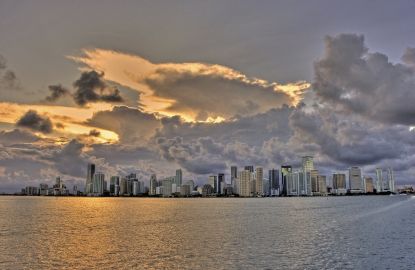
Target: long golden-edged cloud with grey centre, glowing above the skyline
195,91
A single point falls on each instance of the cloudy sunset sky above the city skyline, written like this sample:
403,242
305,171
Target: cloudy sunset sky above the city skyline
152,86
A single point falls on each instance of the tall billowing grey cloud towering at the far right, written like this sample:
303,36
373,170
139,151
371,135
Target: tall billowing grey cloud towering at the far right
351,78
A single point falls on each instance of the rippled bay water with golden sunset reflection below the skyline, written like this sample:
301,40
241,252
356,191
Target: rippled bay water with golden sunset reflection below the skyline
368,232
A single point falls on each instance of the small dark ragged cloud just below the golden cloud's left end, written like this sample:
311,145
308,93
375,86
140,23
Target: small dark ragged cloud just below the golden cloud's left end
91,87
